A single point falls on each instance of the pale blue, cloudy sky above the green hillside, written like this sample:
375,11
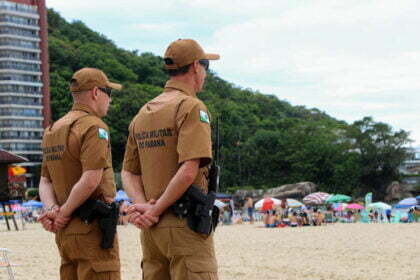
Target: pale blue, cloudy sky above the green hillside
351,59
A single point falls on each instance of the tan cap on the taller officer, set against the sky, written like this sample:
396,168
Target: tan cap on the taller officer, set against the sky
183,52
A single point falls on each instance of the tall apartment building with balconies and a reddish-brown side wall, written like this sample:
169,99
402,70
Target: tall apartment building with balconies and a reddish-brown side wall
24,77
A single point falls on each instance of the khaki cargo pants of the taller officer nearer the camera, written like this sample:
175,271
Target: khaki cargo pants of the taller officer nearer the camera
177,253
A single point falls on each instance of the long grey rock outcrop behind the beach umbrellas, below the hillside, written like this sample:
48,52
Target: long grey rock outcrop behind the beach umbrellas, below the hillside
298,191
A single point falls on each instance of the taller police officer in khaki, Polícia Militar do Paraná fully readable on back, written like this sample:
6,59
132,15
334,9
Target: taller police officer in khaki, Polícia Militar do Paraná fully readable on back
168,149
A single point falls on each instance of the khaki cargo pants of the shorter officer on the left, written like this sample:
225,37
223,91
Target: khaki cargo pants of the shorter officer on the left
82,258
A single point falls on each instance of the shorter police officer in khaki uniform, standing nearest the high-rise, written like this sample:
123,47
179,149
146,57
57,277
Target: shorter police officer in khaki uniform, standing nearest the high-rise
77,165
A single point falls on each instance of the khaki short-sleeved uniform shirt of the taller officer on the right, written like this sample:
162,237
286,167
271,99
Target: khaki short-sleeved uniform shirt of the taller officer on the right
168,130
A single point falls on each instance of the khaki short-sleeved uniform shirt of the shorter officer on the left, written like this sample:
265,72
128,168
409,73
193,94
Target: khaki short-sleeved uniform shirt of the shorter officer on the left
78,142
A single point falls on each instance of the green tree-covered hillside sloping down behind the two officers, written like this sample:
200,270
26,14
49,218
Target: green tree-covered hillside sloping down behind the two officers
266,141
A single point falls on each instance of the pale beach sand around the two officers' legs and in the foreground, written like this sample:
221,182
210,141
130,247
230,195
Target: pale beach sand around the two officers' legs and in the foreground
340,251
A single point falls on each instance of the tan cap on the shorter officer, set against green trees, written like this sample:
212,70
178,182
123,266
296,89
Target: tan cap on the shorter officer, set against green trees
88,78
